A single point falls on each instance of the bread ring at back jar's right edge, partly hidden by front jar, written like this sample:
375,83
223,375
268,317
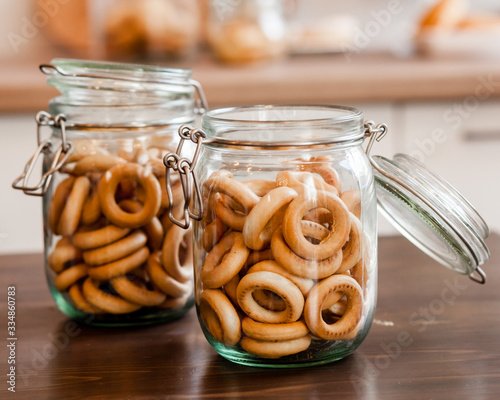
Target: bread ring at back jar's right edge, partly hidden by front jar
173,244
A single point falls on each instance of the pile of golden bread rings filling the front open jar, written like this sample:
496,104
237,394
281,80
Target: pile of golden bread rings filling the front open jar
284,260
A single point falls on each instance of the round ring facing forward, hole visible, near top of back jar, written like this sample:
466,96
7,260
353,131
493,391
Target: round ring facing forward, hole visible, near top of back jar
107,189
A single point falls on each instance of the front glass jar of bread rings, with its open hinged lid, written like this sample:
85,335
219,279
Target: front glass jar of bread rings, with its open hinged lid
285,230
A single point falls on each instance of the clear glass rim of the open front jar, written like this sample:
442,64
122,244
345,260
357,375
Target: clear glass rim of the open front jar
283,125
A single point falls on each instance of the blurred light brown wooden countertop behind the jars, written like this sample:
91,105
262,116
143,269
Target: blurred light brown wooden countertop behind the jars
334,78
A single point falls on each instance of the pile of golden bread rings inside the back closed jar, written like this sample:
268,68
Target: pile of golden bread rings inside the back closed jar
117,250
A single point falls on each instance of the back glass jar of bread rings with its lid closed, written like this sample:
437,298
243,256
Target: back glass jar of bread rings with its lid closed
111,256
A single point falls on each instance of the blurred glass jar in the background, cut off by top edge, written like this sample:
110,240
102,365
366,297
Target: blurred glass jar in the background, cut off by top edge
242,31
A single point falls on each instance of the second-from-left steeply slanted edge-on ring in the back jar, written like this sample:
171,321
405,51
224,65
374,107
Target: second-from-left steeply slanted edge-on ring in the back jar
70,217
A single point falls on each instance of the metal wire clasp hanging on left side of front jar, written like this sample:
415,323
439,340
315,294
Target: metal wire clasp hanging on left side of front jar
185,168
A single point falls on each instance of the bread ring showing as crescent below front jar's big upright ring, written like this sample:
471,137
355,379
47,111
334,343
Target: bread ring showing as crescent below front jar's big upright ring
299,266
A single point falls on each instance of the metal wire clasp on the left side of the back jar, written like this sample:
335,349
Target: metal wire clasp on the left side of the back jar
44,149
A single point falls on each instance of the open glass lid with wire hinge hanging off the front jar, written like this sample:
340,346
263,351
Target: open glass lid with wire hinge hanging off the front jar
428,211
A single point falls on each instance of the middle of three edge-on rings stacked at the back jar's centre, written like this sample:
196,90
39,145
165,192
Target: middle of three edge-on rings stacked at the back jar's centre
116,250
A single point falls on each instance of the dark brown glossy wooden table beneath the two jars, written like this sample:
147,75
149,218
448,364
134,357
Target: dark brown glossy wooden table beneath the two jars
436,336
